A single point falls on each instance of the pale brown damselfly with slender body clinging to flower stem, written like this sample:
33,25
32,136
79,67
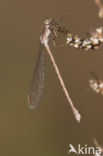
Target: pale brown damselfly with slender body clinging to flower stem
37,83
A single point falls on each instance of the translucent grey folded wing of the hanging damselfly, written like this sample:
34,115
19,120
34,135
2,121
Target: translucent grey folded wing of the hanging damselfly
37,83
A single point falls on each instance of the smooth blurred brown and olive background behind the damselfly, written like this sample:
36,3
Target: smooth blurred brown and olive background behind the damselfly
48,130
